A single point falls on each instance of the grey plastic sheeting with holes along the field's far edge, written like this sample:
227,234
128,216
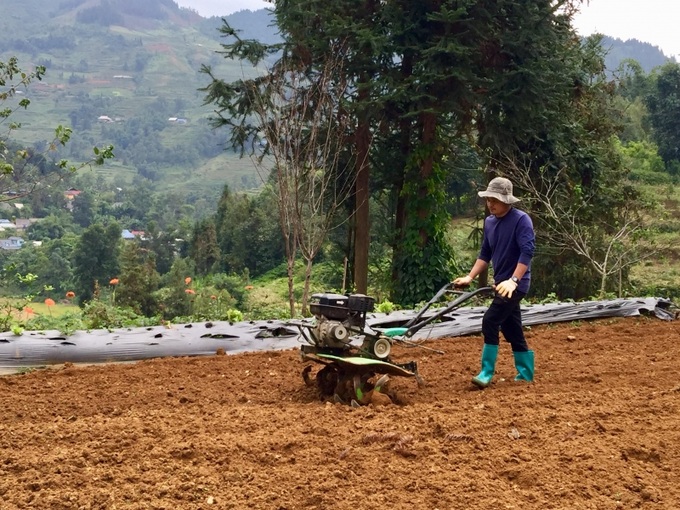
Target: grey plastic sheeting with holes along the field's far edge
33,348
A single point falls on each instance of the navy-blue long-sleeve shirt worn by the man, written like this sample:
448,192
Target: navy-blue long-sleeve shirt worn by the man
507,241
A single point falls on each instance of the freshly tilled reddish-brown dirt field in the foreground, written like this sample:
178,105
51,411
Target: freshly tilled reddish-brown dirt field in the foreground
599,429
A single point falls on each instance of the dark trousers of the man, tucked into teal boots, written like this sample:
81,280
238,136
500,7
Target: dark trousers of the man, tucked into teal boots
504,315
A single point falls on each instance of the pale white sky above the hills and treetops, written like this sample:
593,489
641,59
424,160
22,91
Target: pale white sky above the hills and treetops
651,21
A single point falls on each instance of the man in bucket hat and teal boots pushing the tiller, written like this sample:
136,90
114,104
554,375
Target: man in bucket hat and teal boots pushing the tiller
509,245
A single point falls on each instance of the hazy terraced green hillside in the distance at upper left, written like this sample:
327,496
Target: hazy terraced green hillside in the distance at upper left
127,76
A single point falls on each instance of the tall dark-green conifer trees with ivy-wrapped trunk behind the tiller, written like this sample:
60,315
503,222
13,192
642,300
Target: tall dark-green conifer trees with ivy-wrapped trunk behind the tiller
510,75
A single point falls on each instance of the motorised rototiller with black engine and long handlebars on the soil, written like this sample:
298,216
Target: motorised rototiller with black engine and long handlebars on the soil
356,358
